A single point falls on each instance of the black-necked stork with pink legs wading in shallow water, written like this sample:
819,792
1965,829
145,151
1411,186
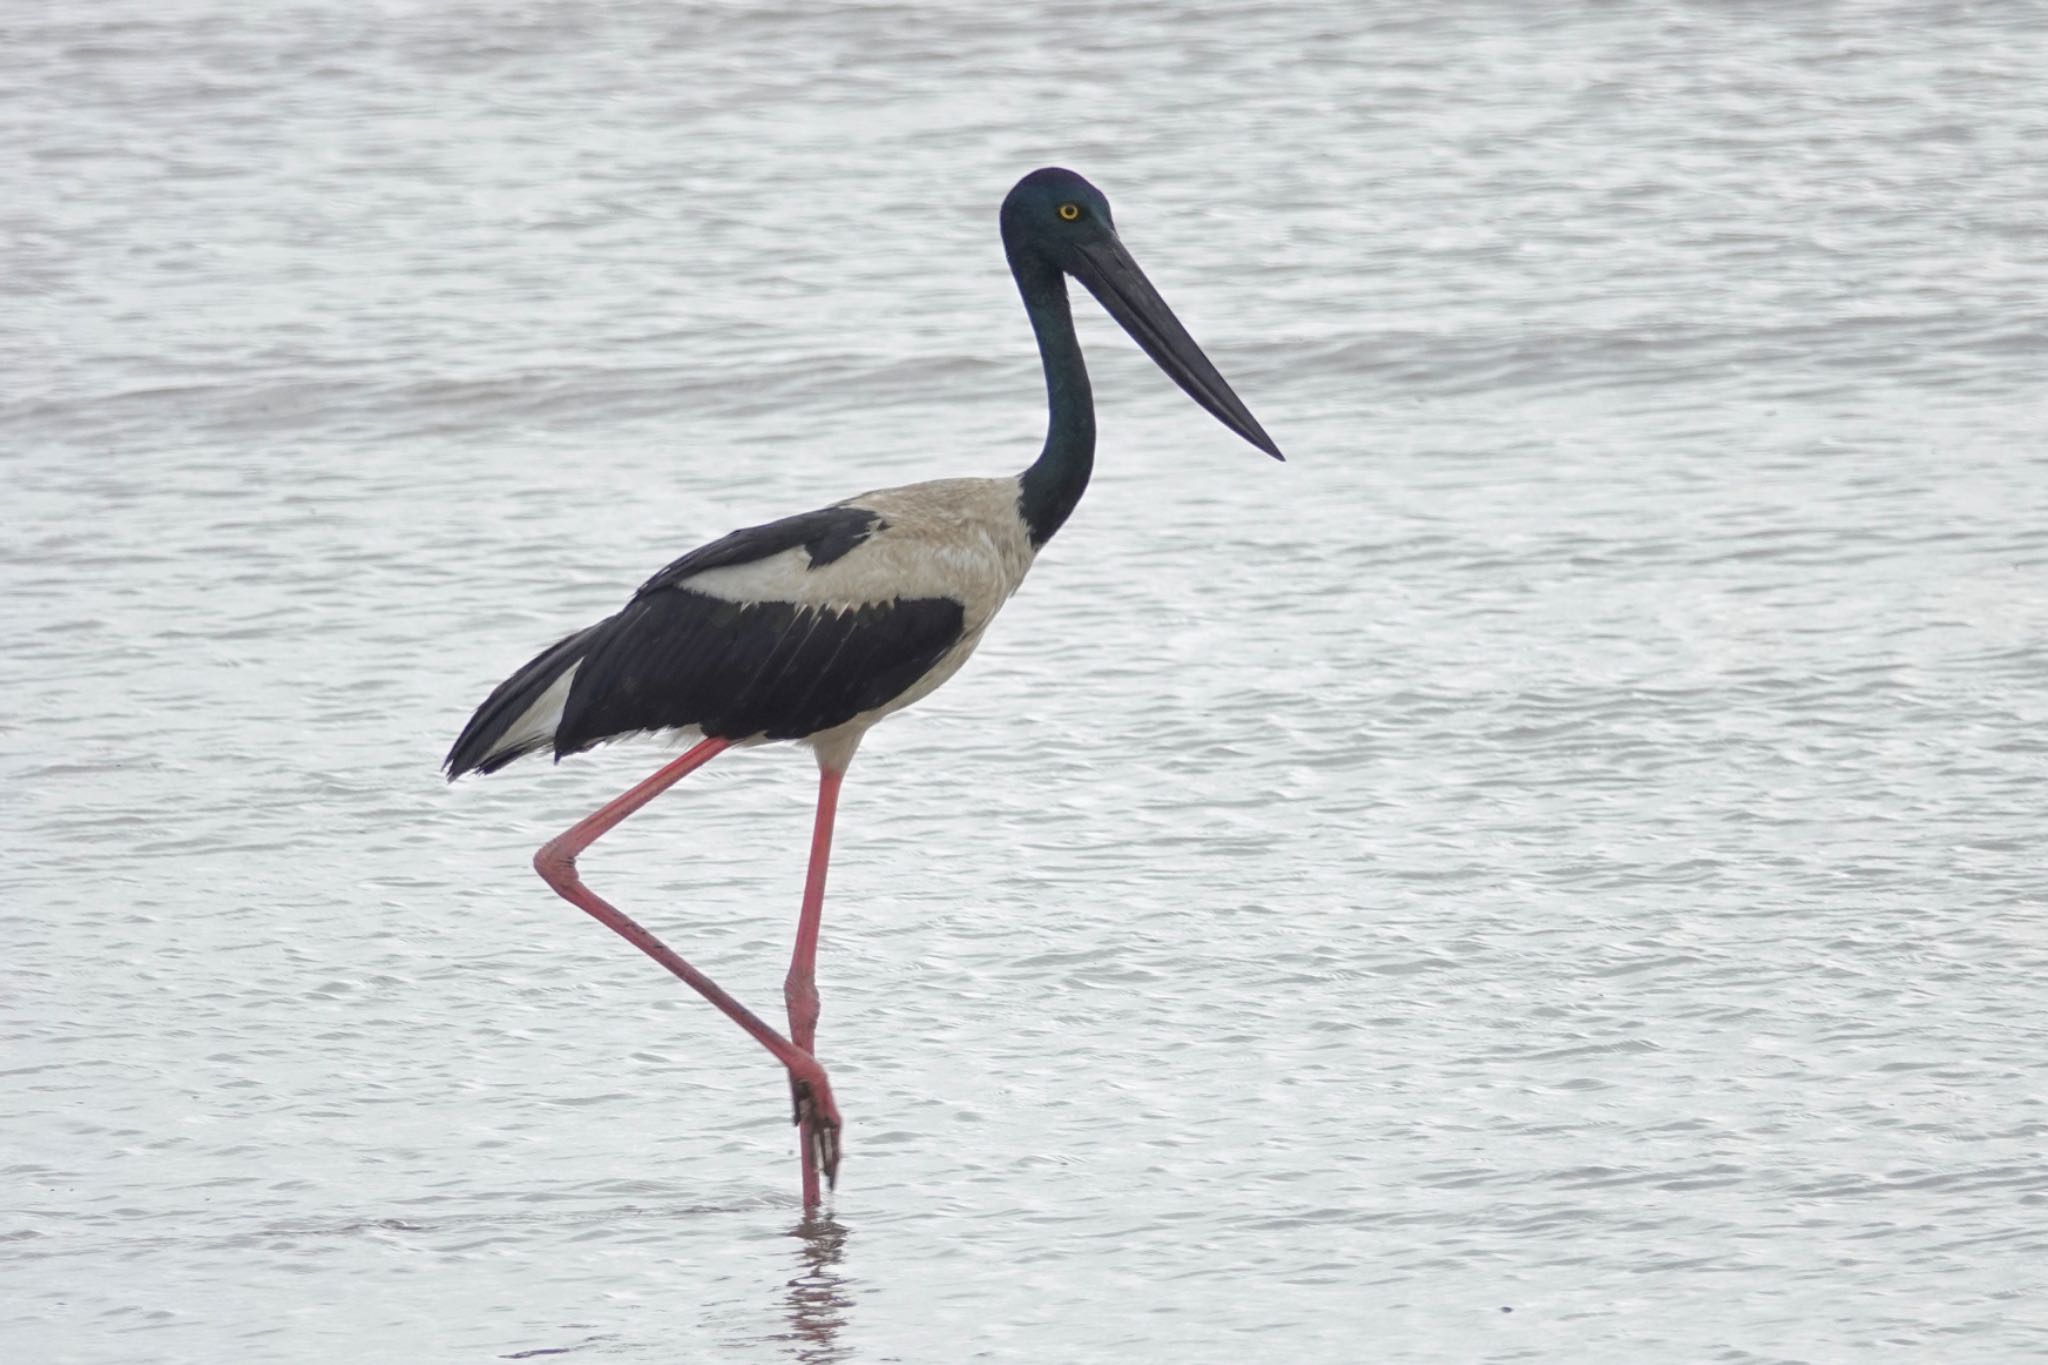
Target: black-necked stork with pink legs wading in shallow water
816,627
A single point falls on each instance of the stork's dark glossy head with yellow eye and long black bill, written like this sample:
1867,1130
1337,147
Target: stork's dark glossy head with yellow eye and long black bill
1056,220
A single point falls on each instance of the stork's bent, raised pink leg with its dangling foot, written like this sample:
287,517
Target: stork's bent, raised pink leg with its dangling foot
556,863
